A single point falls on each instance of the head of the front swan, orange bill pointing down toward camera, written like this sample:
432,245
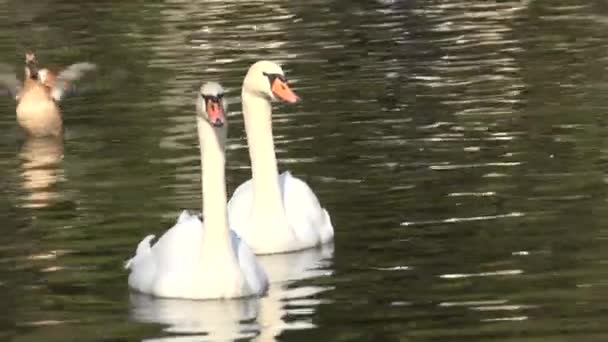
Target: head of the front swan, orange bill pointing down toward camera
211,105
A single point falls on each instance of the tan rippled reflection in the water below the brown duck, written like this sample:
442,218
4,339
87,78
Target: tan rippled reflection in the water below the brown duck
41,169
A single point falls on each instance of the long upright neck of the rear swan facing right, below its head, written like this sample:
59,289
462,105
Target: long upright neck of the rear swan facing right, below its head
257,112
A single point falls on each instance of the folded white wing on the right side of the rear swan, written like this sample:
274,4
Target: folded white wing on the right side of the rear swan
309,220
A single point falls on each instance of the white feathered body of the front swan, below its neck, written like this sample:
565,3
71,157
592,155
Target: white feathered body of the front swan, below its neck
177,266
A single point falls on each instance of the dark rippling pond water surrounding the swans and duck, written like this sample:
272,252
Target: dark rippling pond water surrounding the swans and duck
461,148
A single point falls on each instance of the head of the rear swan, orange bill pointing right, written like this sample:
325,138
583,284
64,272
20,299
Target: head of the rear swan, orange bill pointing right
267,79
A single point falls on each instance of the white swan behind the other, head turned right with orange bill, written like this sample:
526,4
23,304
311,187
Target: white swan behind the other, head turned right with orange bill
273,213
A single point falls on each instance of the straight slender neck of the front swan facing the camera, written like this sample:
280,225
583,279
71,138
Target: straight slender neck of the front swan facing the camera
215,215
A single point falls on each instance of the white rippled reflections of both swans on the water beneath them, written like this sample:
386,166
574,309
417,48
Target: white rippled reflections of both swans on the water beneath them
228,320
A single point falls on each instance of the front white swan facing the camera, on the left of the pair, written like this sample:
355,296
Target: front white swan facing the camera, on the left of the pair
192,261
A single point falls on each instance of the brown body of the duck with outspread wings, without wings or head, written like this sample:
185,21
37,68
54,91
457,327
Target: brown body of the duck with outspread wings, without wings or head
37,113
